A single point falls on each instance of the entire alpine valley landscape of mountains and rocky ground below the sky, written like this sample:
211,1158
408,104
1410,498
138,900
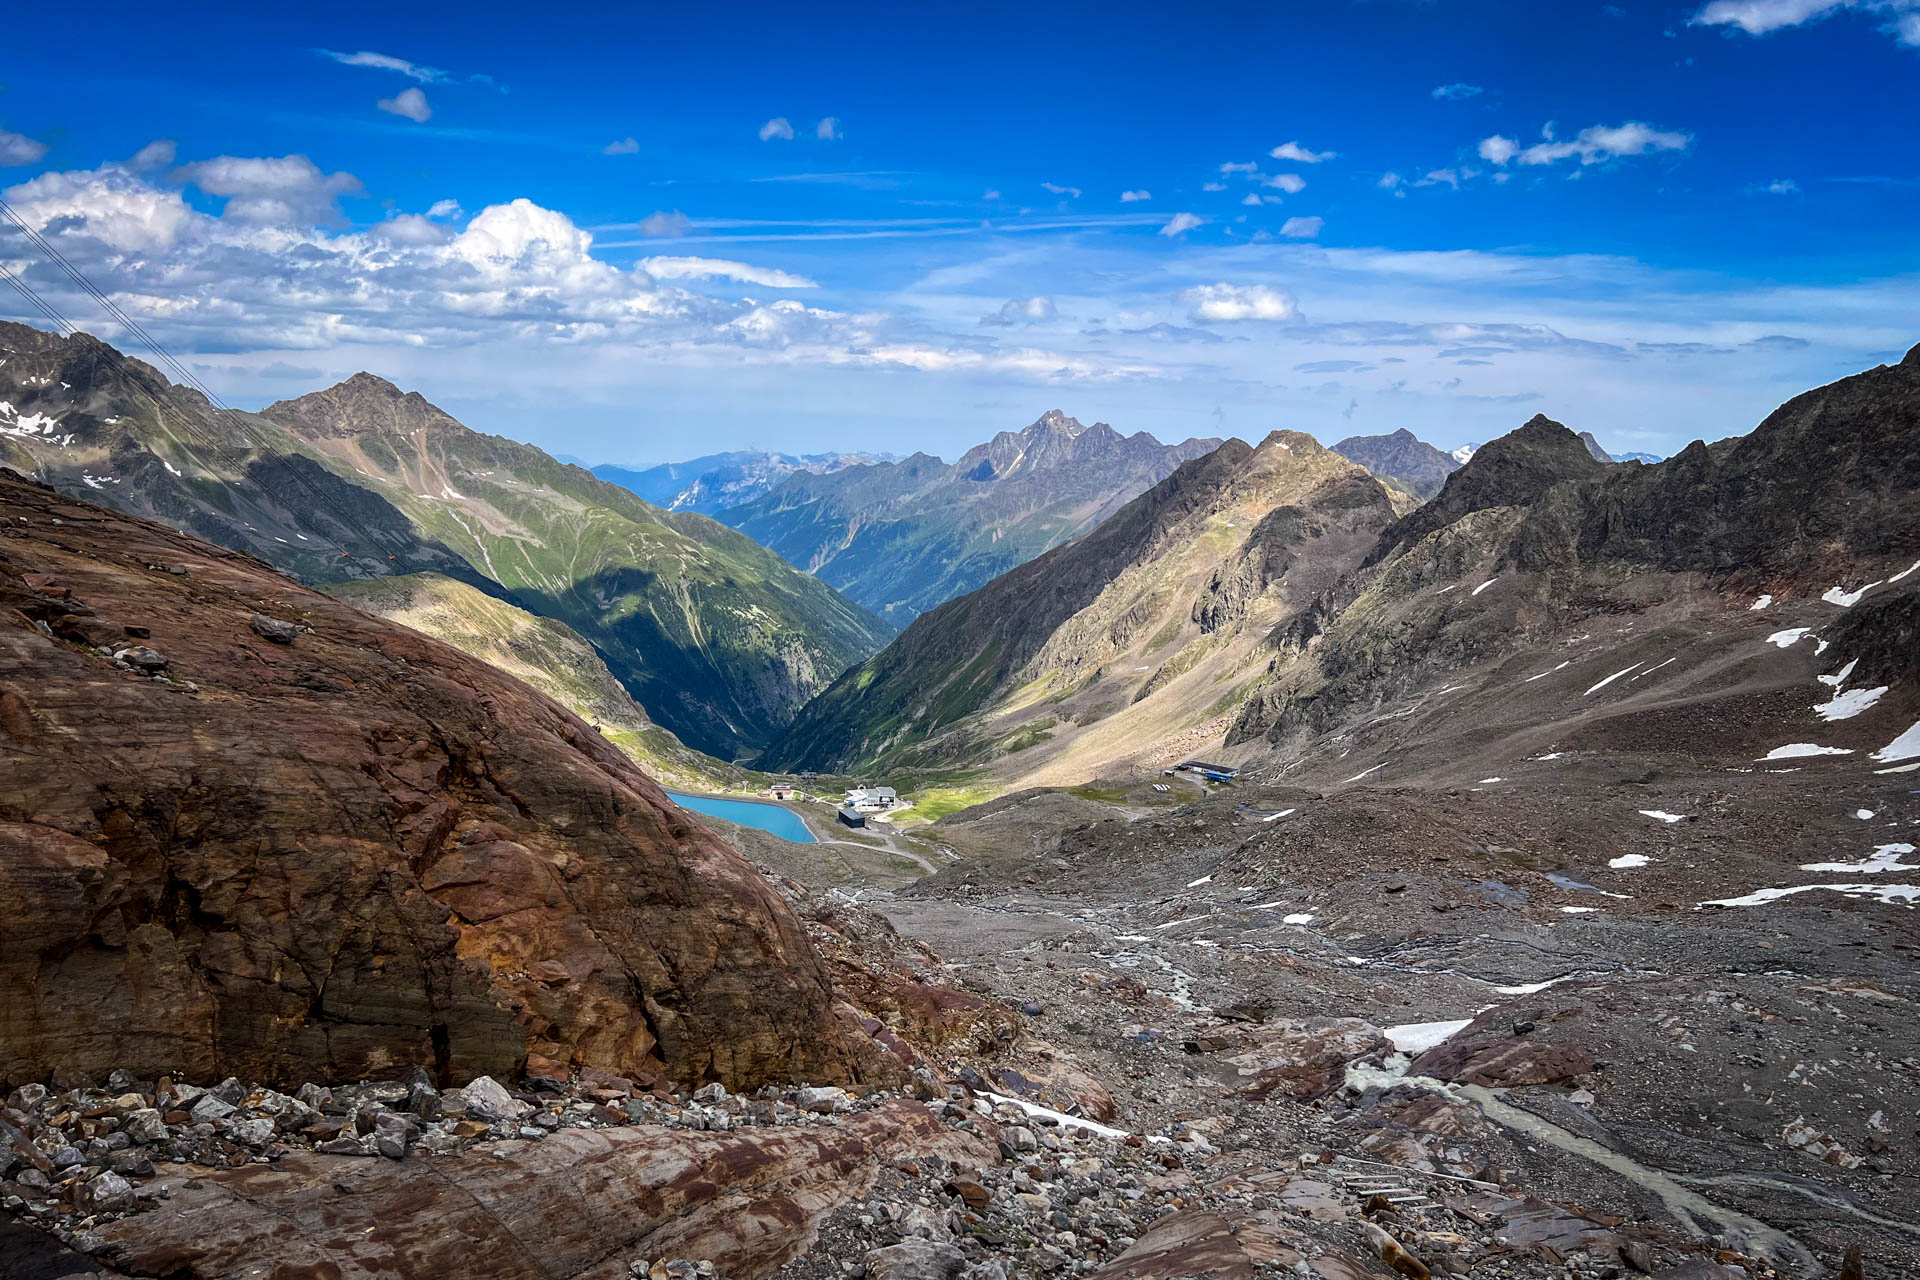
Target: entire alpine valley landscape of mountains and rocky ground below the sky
1343,863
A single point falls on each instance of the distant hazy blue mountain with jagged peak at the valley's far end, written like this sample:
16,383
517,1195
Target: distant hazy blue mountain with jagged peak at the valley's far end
907,536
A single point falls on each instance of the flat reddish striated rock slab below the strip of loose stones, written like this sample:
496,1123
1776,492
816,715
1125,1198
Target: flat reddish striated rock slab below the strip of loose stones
581,1204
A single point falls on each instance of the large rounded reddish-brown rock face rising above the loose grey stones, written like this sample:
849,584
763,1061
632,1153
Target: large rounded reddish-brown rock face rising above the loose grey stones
347,855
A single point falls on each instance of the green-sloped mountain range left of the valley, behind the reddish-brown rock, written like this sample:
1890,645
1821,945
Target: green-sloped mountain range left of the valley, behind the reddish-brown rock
717,638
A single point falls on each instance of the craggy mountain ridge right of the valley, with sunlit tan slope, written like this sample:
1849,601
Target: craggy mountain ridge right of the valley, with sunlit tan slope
1262,598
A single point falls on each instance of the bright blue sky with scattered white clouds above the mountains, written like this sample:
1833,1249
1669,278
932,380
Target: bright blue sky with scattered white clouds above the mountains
648,235
